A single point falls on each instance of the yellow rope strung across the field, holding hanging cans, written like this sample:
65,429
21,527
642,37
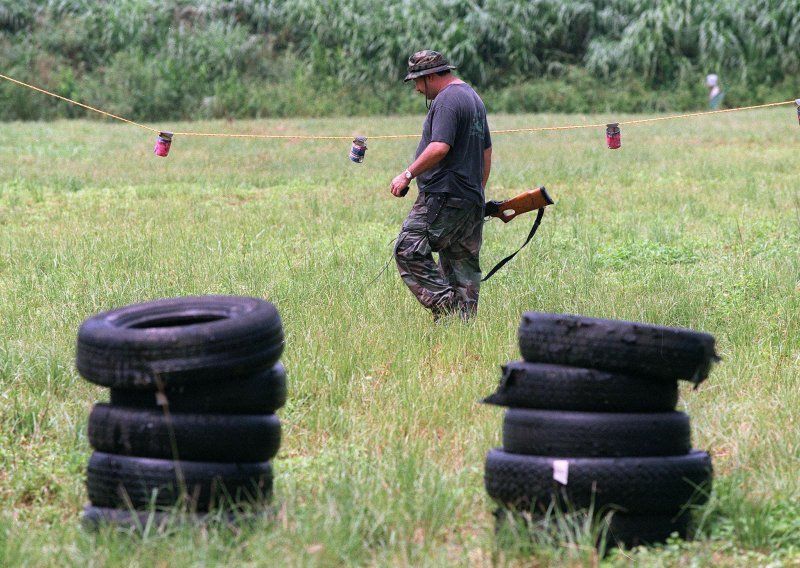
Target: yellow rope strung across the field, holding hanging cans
390,136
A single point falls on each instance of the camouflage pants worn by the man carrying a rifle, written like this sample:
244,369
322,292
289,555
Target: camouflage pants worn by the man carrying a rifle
453,228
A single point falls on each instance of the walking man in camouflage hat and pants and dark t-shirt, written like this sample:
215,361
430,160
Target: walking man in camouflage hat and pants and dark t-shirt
452,164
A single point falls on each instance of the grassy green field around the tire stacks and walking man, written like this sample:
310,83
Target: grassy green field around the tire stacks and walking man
693,223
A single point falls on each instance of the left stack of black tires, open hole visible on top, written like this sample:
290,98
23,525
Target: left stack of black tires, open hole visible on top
191,426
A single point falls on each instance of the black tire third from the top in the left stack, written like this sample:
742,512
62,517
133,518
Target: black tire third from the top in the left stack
194,437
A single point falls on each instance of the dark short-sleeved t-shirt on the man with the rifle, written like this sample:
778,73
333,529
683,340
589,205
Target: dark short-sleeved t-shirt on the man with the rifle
457,117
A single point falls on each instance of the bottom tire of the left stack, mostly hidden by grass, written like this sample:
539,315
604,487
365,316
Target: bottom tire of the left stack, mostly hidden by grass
95,517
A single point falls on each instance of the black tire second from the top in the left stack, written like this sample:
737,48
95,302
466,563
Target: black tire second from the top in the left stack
261,393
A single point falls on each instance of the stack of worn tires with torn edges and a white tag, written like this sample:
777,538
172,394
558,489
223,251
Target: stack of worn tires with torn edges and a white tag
591,424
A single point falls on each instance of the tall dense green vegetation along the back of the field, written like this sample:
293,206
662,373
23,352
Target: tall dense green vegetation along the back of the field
151,60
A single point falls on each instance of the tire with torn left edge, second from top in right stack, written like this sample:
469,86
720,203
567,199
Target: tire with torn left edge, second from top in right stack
556,387
